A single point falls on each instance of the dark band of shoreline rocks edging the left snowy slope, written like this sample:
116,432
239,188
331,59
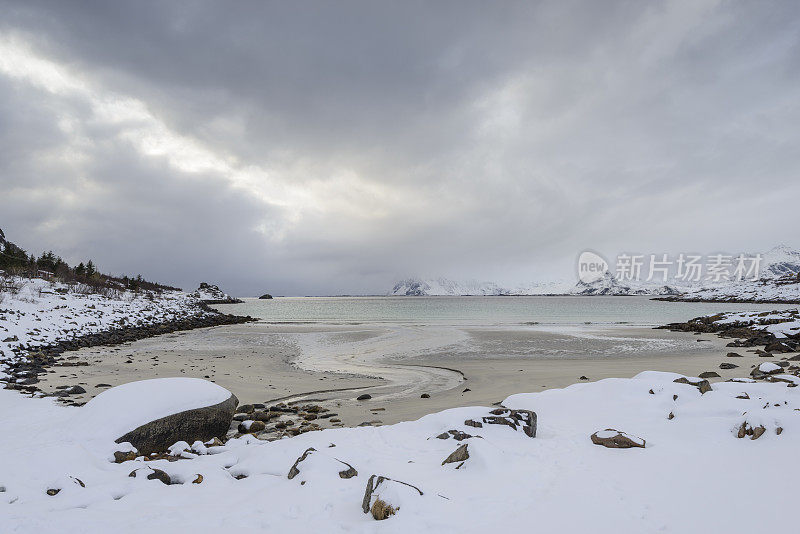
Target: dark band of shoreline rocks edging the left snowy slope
23,373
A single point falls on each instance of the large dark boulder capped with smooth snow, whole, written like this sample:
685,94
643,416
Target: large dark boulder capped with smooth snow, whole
153,414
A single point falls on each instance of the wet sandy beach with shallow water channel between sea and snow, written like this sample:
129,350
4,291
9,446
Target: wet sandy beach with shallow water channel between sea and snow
332,365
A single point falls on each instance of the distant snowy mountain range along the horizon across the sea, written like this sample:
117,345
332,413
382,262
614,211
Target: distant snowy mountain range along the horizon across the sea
779,268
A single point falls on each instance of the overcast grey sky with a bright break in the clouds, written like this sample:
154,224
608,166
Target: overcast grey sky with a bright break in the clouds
334,147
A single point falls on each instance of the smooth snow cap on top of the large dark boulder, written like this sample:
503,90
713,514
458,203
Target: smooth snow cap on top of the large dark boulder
136,403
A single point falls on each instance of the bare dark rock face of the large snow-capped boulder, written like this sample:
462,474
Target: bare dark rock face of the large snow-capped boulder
191,425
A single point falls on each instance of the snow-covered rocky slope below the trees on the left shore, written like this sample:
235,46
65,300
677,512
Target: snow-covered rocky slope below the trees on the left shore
43,312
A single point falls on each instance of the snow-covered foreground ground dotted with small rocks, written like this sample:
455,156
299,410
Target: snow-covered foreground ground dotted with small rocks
694,474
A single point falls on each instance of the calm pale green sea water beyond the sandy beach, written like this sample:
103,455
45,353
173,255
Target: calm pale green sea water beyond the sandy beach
481,310
